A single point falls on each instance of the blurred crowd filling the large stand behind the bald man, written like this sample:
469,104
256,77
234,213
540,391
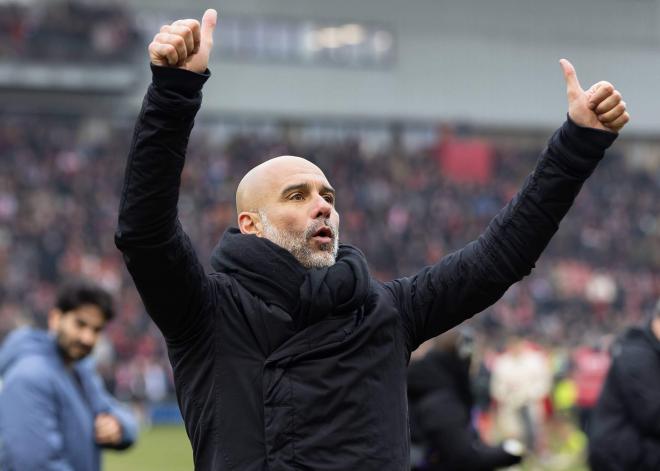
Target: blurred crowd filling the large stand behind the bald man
60,180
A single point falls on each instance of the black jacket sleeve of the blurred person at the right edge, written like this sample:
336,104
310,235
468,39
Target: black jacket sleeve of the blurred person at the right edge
636,373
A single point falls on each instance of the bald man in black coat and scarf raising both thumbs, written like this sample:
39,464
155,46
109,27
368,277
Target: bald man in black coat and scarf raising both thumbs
289,355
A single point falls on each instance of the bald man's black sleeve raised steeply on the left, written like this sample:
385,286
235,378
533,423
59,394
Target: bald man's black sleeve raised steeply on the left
157,252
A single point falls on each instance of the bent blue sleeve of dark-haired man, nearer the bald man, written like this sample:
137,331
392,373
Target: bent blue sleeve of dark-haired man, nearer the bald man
103,402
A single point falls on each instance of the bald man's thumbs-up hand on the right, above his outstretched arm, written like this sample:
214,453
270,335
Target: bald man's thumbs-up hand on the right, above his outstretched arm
600,107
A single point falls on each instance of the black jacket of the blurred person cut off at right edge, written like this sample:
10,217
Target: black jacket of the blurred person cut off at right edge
625,425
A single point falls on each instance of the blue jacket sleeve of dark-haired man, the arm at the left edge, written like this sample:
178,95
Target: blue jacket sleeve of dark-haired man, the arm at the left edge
31,437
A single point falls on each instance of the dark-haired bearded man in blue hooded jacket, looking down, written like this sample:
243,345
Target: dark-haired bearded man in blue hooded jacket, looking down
55,414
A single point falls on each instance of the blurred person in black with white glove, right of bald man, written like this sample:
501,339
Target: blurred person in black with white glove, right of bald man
441,404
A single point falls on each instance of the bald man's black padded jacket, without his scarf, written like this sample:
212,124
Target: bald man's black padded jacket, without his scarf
258,393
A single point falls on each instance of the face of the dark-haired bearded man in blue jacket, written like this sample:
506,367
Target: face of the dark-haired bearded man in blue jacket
76,331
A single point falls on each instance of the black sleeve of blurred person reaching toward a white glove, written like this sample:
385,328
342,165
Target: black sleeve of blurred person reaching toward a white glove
454,443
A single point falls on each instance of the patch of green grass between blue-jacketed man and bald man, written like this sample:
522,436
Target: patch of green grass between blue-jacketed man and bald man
157,449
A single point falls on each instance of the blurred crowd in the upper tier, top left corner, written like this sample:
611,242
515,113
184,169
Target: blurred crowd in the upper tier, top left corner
66,31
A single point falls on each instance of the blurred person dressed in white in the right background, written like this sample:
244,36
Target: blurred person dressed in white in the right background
520,382
